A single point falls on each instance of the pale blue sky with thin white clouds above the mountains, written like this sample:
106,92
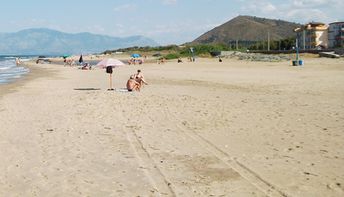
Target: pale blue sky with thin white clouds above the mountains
165,21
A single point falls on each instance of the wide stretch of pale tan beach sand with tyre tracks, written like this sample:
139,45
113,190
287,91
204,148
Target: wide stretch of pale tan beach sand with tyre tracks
234,128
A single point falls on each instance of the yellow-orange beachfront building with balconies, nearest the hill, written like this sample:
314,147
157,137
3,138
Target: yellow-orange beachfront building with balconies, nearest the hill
312,36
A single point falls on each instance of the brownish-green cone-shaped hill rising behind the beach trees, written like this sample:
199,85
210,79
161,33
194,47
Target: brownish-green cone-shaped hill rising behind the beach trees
248,28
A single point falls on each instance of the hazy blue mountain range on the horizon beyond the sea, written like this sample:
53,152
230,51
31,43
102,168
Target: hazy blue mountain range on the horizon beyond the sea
47,41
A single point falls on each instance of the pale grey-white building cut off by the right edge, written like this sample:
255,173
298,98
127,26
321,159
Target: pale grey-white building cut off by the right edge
336,35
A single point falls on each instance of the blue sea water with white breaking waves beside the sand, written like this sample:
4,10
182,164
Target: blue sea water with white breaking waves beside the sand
9,71
